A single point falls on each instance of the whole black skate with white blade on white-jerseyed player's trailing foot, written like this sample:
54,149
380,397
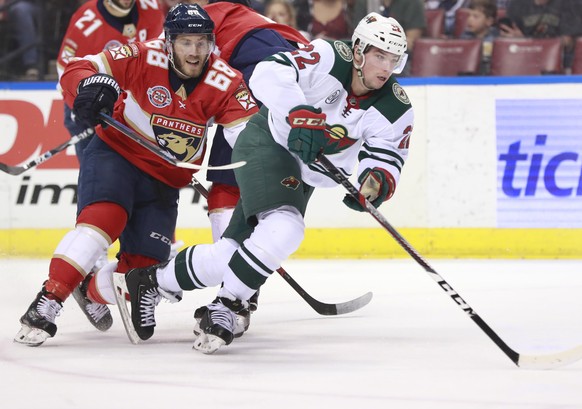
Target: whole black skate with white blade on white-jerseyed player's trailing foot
141,285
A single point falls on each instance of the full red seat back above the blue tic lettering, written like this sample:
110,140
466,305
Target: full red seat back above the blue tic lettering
526,56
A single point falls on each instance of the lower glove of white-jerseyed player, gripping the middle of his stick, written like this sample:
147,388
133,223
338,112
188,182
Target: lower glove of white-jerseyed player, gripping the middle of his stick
376,185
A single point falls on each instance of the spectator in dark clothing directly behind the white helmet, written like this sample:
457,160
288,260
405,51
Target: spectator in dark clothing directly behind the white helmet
410,14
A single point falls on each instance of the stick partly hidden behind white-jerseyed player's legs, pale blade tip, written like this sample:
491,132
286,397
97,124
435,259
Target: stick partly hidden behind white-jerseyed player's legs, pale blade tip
319,307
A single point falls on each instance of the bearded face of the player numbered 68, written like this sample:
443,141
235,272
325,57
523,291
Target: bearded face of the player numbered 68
190,53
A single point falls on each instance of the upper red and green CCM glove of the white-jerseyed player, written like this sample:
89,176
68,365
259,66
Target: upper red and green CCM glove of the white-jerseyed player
306,137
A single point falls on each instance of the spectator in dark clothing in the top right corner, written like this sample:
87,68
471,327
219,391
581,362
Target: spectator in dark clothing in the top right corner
542,19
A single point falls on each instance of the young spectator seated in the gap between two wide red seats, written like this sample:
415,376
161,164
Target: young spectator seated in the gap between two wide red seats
481,24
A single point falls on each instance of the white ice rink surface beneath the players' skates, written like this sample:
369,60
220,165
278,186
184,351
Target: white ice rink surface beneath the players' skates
412,347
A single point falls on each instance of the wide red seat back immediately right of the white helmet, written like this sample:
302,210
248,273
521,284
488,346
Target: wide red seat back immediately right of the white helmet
446,57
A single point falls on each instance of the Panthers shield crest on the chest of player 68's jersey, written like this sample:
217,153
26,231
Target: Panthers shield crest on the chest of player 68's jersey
181,139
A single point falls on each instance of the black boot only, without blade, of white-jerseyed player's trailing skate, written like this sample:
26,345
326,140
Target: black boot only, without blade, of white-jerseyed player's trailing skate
145,295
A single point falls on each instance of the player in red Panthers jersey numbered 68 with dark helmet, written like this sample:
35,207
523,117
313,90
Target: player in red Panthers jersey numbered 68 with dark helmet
167,91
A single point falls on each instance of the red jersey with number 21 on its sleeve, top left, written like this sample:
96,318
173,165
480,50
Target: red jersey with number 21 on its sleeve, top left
92,29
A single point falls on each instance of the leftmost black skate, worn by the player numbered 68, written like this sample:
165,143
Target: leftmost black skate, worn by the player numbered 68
38,323
